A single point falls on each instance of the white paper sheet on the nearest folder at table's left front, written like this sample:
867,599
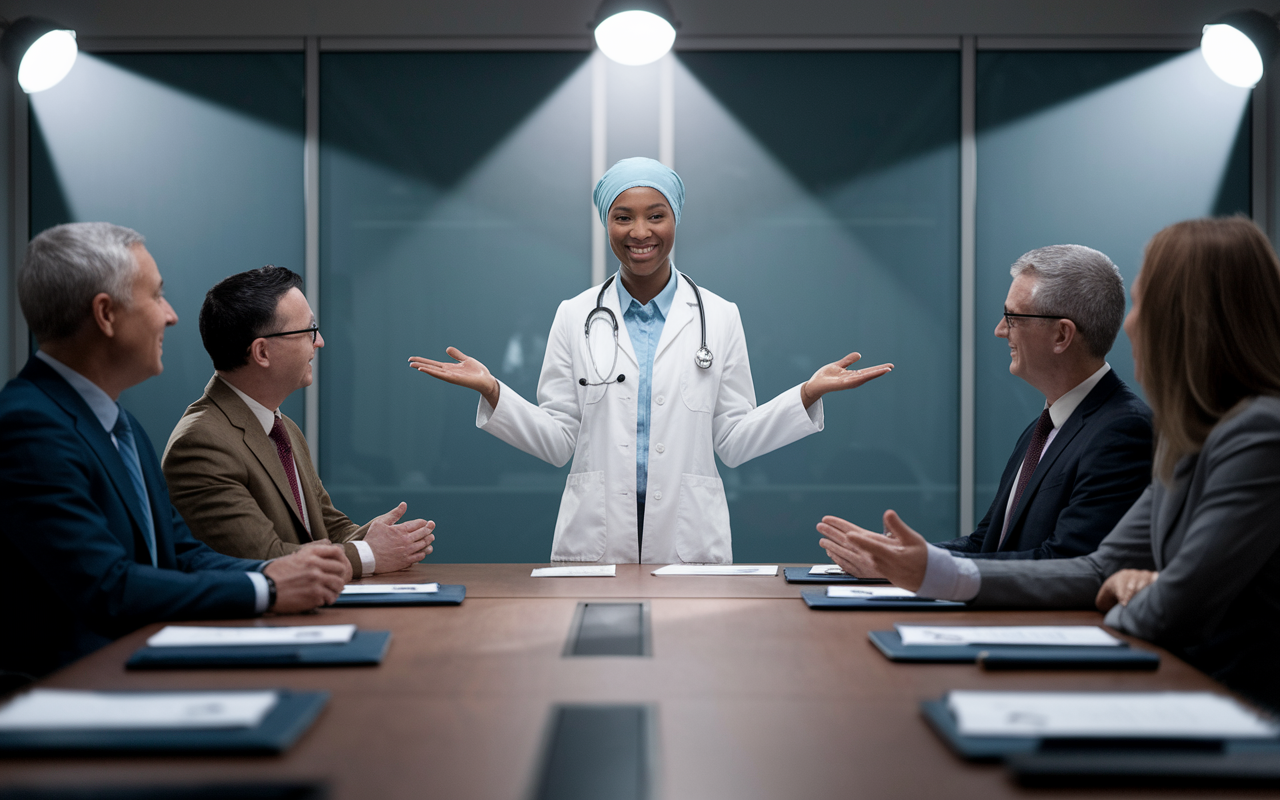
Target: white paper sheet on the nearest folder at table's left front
52,710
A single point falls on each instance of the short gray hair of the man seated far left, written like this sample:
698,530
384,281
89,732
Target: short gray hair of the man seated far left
67,267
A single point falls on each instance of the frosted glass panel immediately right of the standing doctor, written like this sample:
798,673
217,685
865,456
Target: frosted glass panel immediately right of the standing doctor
824,200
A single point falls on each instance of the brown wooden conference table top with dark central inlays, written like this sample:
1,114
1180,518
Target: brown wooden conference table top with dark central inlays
756,696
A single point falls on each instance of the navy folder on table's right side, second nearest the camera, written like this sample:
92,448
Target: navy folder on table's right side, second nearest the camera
1016,657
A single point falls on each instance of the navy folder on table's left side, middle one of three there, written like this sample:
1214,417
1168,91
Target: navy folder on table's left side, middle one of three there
365,650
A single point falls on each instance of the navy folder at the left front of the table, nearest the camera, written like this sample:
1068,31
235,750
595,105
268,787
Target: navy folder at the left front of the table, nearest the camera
284,725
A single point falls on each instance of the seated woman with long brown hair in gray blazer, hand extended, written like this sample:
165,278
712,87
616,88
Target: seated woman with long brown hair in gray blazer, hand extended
1195,565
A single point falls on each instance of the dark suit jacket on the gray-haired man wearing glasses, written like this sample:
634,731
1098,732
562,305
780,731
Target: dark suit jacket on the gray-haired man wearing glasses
1096,468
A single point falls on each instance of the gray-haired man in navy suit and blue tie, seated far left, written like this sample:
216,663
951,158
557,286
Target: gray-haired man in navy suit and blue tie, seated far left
92,546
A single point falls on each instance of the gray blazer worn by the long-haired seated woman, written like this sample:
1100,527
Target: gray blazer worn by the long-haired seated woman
1213,534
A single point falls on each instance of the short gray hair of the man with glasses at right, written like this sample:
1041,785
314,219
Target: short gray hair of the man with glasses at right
1081,285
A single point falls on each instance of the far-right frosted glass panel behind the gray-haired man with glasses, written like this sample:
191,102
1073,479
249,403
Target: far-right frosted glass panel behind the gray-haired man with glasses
1098,149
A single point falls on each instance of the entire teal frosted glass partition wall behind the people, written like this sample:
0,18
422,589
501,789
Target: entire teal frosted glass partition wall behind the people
824,199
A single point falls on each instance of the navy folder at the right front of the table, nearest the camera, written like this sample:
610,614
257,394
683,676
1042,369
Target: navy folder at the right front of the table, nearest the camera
999,748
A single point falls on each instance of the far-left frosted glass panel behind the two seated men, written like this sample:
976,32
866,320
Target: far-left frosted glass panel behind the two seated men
203,156
